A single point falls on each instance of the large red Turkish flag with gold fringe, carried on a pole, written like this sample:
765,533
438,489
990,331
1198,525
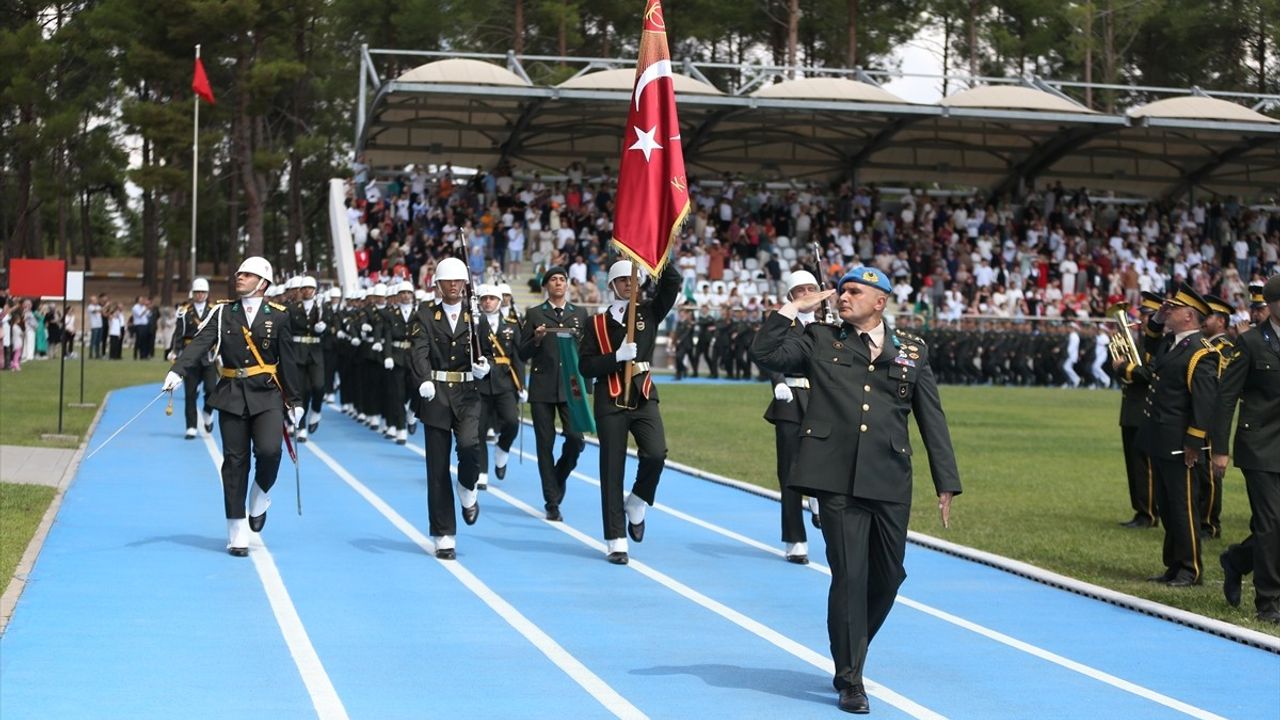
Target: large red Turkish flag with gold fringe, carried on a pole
653,193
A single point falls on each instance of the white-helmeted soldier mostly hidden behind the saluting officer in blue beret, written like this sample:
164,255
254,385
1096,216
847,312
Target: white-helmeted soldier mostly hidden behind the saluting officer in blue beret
787,412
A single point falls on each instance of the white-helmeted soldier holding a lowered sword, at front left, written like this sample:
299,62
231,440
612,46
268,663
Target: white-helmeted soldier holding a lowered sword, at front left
259,380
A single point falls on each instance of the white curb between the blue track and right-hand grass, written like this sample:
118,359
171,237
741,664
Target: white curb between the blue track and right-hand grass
1228,631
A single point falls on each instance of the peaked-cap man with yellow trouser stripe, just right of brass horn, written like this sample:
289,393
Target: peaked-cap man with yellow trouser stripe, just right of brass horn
1180,414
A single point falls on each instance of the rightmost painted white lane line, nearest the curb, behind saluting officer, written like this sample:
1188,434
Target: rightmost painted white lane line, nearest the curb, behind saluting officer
1119,683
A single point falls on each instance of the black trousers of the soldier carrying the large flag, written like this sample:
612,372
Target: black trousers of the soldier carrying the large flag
644,425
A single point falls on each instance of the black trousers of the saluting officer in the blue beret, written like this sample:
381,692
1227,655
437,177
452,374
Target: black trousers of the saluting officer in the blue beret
866,545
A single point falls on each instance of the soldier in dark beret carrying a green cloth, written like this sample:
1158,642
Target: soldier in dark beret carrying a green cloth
548,397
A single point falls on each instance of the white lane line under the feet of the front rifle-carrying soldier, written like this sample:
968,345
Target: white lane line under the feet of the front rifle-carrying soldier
570,666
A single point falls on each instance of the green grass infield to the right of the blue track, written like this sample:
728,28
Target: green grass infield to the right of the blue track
1043,473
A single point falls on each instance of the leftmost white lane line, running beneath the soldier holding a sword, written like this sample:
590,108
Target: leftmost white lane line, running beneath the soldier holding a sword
324,696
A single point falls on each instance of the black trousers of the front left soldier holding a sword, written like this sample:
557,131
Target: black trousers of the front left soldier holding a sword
264,436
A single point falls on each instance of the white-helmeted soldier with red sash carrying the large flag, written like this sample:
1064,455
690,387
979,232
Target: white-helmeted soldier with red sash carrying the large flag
605,357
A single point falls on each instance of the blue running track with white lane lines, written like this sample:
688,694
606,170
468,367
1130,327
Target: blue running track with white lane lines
135,610
